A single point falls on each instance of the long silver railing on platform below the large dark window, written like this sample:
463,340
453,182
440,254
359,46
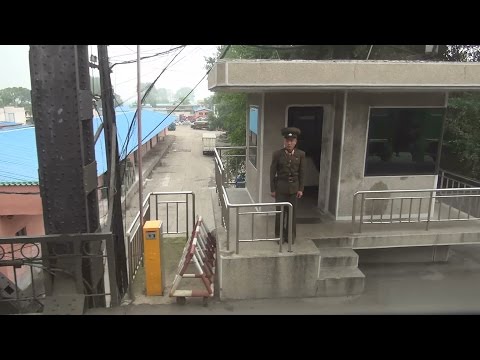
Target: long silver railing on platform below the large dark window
405,206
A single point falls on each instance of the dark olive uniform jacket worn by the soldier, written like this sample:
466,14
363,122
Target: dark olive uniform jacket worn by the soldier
285,167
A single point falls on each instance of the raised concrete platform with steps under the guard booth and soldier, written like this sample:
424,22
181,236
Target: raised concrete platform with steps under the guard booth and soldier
324,259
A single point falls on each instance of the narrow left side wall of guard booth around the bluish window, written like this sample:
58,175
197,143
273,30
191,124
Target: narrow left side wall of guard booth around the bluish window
253,174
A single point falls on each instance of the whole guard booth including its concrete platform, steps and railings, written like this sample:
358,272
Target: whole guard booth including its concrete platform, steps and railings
372,132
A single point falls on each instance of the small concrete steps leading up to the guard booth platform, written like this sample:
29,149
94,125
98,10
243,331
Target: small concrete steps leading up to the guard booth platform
338,273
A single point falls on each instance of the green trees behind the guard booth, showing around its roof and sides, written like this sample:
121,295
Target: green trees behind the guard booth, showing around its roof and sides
462,133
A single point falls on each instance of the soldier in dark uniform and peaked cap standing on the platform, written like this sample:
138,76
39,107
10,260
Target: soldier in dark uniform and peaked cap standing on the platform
287,173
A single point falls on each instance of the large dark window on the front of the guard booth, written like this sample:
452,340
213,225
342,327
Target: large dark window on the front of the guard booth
403,141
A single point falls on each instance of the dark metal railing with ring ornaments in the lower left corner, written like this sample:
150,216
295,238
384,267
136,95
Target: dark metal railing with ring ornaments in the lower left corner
29,265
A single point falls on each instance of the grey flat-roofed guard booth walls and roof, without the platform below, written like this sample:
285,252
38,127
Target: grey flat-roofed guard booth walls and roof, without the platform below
366,125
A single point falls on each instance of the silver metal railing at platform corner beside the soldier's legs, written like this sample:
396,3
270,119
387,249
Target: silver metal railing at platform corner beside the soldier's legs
225,174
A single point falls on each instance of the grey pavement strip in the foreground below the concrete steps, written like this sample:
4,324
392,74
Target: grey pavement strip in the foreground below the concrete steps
449,288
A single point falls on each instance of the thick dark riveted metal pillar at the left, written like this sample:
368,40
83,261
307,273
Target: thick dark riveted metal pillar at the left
62,111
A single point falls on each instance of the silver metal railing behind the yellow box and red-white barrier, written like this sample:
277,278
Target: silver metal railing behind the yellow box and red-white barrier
153,210
